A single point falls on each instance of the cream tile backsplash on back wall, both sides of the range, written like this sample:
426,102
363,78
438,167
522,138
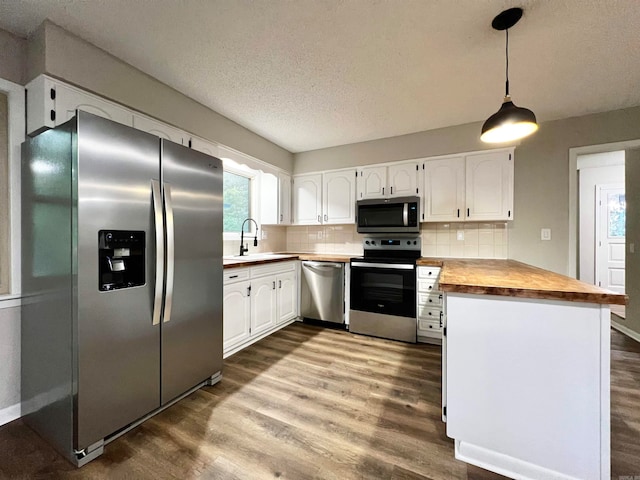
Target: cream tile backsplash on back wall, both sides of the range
459,240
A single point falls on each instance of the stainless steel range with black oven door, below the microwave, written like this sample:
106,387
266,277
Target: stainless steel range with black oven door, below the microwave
383,288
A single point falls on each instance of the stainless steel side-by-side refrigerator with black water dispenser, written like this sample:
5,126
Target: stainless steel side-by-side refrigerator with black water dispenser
122,280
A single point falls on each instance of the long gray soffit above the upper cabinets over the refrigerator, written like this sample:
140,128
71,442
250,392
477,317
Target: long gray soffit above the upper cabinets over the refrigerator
54,51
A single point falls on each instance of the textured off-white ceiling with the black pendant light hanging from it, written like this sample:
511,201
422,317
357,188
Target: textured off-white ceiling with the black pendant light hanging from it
308,74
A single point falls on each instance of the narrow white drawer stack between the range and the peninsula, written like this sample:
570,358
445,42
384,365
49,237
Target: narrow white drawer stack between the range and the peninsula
430,307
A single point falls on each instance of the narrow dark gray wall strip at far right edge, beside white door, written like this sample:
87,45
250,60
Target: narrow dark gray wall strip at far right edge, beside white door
632,174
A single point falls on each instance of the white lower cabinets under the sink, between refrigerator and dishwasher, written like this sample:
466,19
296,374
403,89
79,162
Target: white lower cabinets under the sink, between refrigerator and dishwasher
257,301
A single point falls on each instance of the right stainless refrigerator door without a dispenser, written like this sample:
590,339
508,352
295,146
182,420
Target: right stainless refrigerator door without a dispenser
192,319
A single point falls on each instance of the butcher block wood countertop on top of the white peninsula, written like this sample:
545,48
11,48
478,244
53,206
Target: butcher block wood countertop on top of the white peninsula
516,279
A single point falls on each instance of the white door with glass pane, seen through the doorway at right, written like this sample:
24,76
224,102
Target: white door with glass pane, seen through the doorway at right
610,247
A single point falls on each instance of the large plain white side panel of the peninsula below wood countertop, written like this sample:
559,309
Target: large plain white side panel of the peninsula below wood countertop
524,380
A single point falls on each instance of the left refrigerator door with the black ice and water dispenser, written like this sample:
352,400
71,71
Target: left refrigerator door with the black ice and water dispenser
118,354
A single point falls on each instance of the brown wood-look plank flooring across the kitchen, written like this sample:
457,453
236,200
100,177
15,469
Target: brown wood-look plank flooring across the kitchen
311,403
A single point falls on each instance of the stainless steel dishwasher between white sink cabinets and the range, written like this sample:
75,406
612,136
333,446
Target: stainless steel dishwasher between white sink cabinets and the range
322,291
